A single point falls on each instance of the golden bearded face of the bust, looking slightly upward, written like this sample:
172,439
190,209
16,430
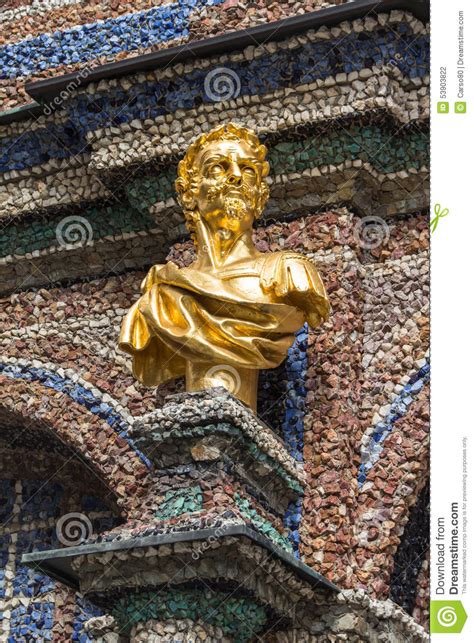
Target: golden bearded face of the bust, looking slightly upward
229,182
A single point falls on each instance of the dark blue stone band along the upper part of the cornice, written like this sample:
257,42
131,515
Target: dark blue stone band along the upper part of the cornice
284,68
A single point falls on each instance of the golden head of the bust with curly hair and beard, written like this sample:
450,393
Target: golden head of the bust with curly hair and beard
221,179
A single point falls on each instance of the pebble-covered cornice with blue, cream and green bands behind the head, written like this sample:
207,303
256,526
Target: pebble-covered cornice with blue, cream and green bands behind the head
88,189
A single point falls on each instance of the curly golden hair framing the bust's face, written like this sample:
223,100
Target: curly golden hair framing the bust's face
186,183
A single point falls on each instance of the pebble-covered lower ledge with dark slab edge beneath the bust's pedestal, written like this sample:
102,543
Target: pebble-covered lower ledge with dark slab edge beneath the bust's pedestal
304,604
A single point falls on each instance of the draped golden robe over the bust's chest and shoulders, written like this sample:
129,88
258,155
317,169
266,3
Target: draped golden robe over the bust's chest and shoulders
189,315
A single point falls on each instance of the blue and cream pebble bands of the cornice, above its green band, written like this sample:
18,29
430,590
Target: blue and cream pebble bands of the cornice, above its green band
381,65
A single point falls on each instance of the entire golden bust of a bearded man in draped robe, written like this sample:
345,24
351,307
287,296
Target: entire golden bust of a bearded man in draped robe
234,310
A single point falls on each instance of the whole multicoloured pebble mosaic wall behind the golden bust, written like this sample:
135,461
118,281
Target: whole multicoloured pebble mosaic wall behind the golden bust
87,204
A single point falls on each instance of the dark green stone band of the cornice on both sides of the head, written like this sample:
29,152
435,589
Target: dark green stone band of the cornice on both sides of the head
386,151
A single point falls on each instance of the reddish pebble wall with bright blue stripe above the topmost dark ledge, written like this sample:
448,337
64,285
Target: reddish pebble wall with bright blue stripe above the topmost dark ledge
44,38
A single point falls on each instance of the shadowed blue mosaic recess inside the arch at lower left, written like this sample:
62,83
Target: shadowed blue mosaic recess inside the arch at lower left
37,513
